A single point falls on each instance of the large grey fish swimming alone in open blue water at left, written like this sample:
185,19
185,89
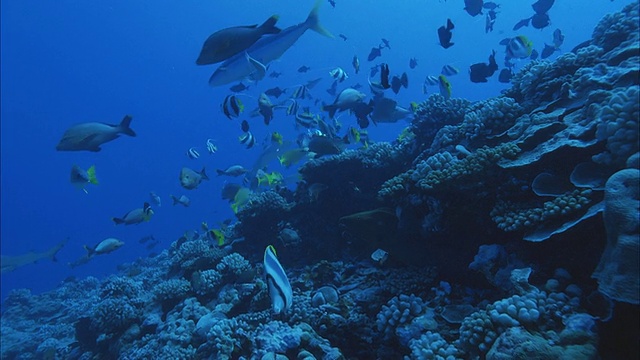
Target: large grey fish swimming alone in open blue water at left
89,136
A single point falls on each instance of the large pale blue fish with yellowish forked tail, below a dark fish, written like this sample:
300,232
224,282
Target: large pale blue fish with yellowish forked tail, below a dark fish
265,50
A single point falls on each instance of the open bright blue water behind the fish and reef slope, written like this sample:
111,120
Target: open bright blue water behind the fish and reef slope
67,62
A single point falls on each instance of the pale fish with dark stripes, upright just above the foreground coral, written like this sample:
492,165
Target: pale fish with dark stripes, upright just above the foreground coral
280,290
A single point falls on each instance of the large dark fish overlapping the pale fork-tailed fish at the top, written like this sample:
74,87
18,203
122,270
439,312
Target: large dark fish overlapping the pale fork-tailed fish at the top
225,43
